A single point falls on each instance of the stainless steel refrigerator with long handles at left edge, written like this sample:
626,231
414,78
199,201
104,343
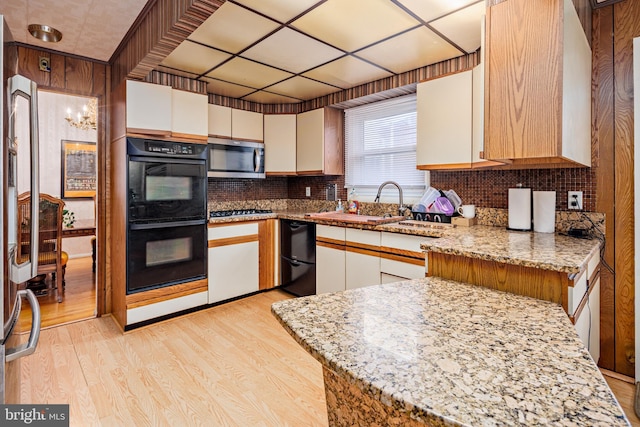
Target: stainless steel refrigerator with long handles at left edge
19,170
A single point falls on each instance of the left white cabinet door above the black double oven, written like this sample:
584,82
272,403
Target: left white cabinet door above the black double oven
148,108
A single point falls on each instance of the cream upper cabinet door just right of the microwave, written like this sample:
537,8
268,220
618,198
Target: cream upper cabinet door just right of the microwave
280,144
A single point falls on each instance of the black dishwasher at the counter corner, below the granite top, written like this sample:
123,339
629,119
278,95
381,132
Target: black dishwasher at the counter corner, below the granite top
298,257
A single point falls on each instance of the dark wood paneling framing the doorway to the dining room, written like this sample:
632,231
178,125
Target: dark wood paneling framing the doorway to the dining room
86,77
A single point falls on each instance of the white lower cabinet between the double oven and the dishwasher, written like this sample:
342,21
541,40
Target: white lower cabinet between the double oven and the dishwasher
234,261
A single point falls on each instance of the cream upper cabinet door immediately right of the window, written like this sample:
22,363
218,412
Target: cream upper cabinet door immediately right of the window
444,127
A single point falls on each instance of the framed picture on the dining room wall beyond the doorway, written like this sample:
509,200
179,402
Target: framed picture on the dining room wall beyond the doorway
79,169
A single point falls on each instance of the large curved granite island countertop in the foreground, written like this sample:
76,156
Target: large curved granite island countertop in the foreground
455,354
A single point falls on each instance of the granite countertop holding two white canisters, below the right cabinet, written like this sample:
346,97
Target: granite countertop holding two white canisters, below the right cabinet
548,251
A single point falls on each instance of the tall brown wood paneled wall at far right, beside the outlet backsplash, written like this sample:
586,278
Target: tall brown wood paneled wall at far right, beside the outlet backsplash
613,113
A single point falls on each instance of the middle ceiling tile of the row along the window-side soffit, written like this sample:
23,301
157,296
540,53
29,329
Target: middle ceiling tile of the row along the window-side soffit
347,72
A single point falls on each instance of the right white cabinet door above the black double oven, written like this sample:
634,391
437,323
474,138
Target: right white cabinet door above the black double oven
189,114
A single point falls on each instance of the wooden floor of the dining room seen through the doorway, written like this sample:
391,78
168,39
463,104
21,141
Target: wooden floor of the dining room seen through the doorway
79,298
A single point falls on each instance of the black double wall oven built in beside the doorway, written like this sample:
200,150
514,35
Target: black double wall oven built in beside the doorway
166,213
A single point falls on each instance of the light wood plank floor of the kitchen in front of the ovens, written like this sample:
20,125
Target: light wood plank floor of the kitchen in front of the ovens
231,365
